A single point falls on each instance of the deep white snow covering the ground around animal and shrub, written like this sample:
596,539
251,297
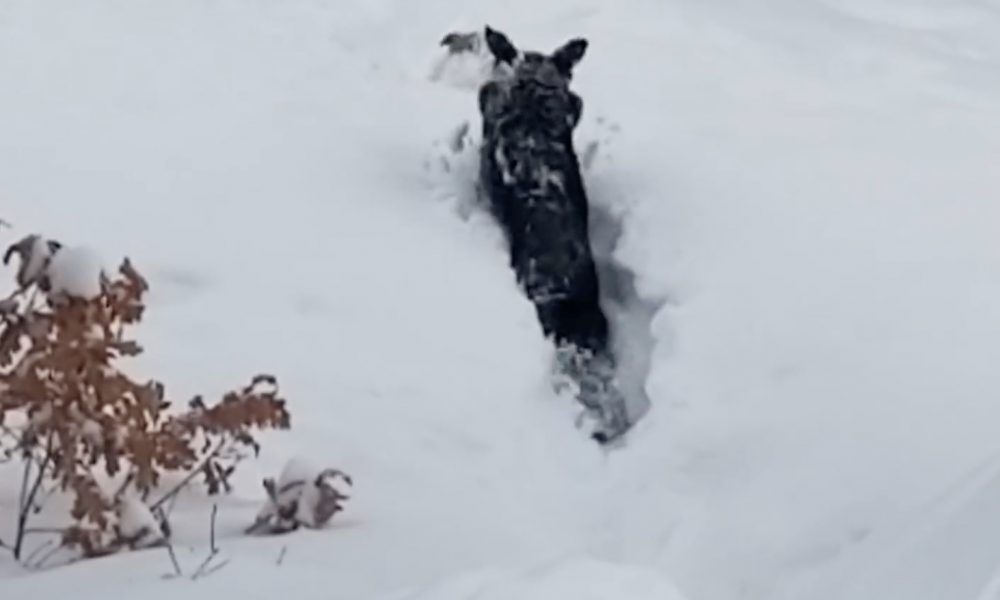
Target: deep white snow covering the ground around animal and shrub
807,196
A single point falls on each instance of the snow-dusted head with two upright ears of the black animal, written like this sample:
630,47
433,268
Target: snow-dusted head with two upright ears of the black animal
529,82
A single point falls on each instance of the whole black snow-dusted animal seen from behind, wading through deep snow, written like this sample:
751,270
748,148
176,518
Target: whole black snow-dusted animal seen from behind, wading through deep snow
530,172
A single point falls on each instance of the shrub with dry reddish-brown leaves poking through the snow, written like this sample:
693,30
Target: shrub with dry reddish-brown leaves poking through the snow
83,427
